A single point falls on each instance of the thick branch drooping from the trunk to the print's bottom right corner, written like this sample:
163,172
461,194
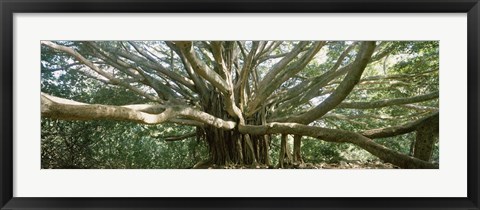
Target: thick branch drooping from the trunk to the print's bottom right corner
340,136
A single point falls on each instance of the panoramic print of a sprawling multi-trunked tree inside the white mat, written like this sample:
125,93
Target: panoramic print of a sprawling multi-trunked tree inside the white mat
230,104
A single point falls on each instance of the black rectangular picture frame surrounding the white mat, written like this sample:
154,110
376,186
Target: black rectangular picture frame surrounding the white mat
9,7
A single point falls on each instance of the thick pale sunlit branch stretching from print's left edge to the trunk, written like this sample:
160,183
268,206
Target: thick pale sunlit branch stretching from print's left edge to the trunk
58,108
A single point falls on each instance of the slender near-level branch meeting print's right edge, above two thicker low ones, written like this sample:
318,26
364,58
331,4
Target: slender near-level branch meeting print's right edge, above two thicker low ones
388,102
